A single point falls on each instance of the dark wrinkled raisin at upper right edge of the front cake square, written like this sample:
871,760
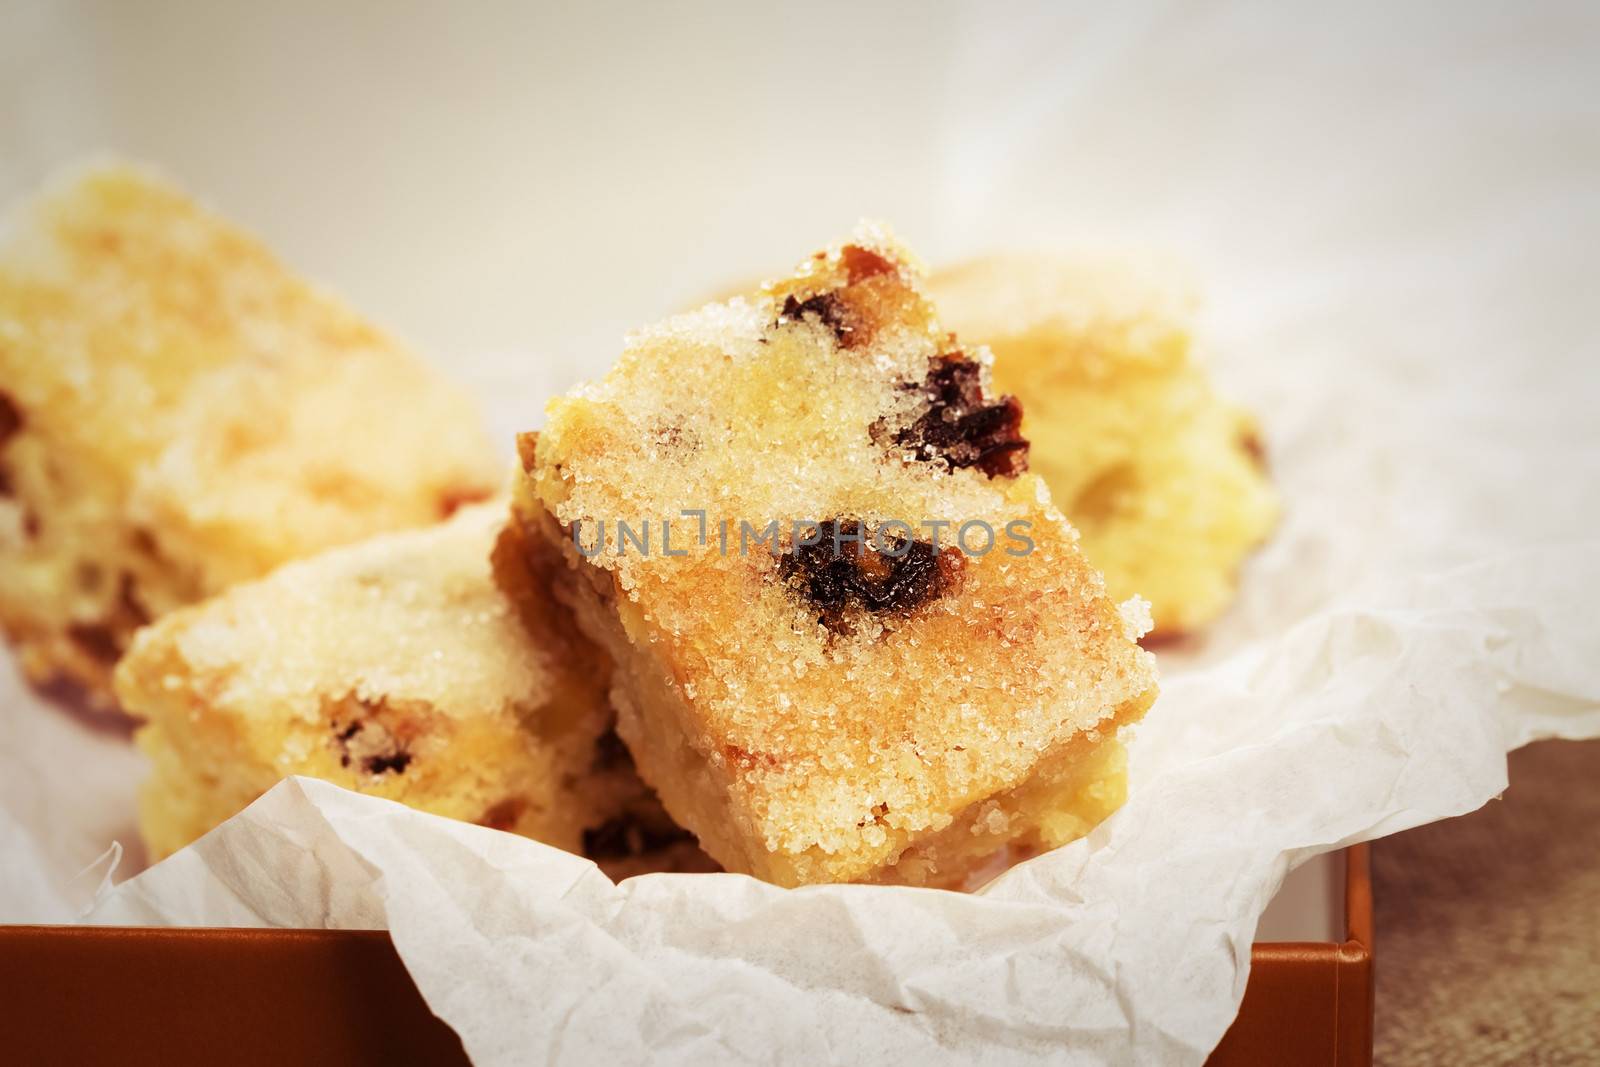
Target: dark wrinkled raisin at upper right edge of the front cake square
962,428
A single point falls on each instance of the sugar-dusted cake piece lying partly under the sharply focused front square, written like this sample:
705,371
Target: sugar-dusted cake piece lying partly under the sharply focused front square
396,668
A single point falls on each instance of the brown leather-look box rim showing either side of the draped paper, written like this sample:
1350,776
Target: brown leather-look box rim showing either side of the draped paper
130,997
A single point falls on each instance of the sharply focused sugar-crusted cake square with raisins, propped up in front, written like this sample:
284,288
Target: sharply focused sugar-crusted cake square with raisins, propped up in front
876,714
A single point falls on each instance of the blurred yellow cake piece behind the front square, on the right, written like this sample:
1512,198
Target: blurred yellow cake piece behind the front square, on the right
1164,479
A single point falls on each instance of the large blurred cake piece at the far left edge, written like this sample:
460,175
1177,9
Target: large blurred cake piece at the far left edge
178,414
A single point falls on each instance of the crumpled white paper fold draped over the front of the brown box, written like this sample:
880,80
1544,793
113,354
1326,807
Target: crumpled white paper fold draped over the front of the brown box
1130,946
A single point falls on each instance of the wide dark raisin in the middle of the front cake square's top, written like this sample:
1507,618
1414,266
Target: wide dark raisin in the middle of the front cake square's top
844,570
